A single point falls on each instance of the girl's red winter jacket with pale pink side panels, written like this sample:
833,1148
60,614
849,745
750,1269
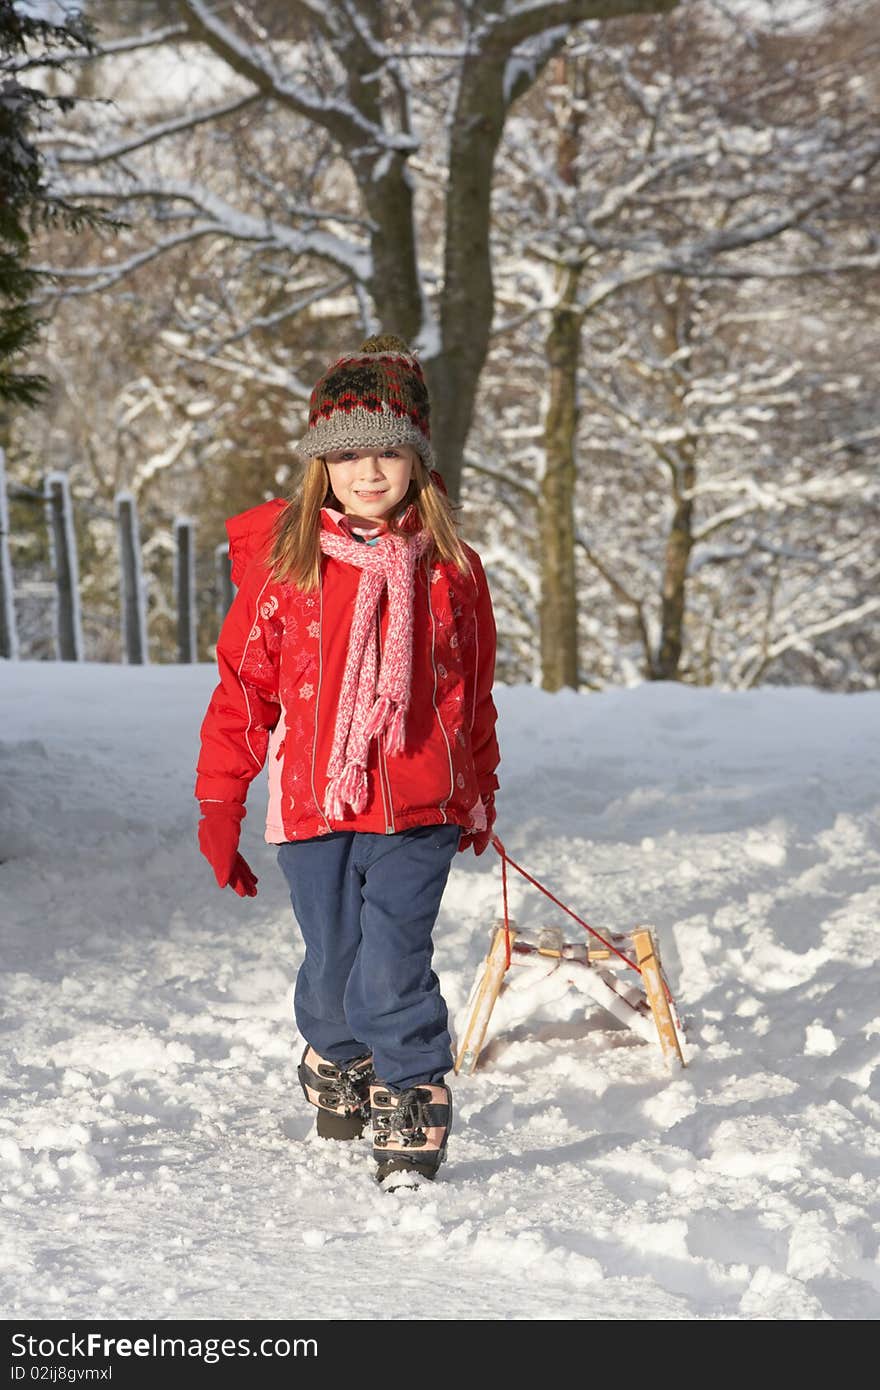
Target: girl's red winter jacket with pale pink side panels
282,655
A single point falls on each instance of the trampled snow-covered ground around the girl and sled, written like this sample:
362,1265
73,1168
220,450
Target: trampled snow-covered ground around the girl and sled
158,1159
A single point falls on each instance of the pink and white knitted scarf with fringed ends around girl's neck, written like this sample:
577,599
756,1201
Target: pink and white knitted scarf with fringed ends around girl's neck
368,708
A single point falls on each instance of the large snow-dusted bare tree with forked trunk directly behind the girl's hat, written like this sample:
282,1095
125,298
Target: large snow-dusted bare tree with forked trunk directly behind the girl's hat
344,85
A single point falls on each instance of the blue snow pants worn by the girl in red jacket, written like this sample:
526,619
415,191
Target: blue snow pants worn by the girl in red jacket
366,906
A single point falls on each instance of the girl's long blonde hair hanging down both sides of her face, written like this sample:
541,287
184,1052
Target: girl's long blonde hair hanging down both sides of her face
295,555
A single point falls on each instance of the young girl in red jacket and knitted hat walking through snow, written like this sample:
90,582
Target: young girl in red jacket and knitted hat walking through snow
359,657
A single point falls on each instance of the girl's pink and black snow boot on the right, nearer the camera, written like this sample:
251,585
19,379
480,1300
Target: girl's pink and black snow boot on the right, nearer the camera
409,1134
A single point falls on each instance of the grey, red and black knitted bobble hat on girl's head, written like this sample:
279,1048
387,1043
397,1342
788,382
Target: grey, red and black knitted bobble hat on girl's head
373,397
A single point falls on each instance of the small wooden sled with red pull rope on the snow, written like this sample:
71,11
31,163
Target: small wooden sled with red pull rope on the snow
622,974
